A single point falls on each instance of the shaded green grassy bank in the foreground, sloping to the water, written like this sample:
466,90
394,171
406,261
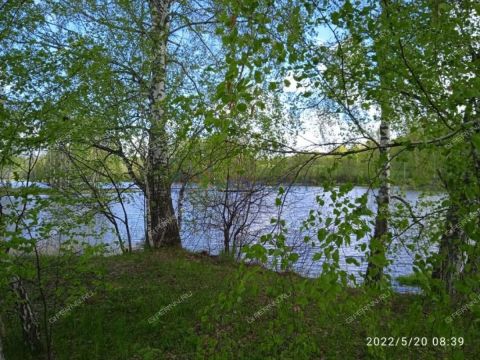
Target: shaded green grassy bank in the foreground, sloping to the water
173,304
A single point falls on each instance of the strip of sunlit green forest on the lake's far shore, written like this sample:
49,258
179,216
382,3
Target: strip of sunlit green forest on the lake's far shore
411,170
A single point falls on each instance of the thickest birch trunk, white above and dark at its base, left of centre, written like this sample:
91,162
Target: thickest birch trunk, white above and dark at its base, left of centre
162,226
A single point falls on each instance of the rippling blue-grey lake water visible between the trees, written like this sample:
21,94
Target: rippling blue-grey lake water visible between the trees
202,228
